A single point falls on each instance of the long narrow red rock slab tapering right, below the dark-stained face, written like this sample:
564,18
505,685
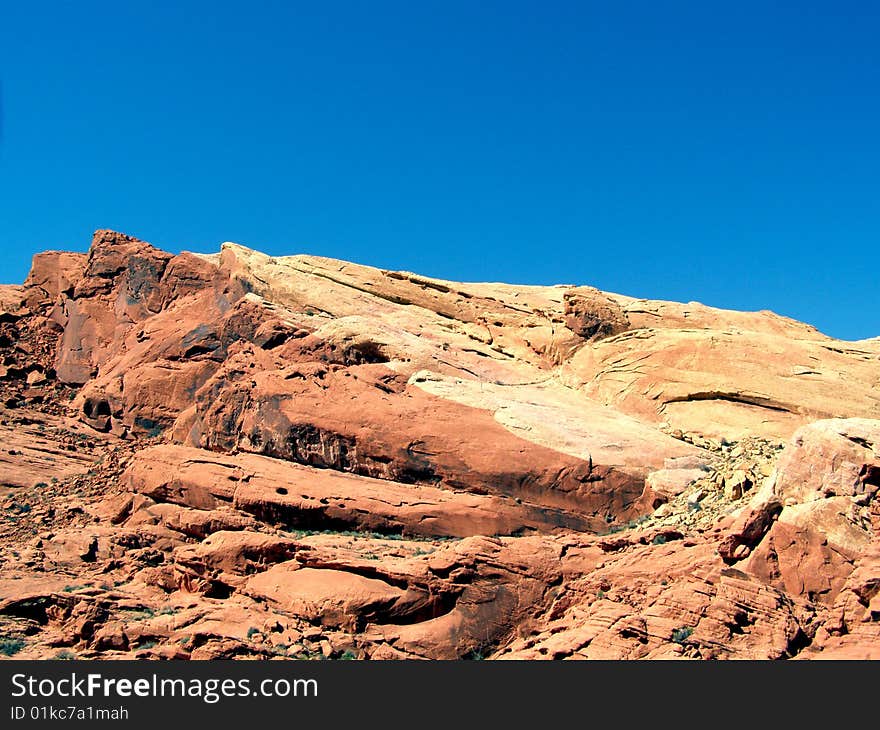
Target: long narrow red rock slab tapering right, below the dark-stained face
299,497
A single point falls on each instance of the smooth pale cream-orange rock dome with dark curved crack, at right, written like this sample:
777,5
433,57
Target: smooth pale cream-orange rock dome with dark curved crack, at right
728,375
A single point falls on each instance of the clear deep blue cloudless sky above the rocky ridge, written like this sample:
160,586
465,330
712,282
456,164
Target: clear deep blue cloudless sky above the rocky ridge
727,153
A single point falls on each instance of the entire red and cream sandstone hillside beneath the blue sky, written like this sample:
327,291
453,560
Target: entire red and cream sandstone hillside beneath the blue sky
238,455
